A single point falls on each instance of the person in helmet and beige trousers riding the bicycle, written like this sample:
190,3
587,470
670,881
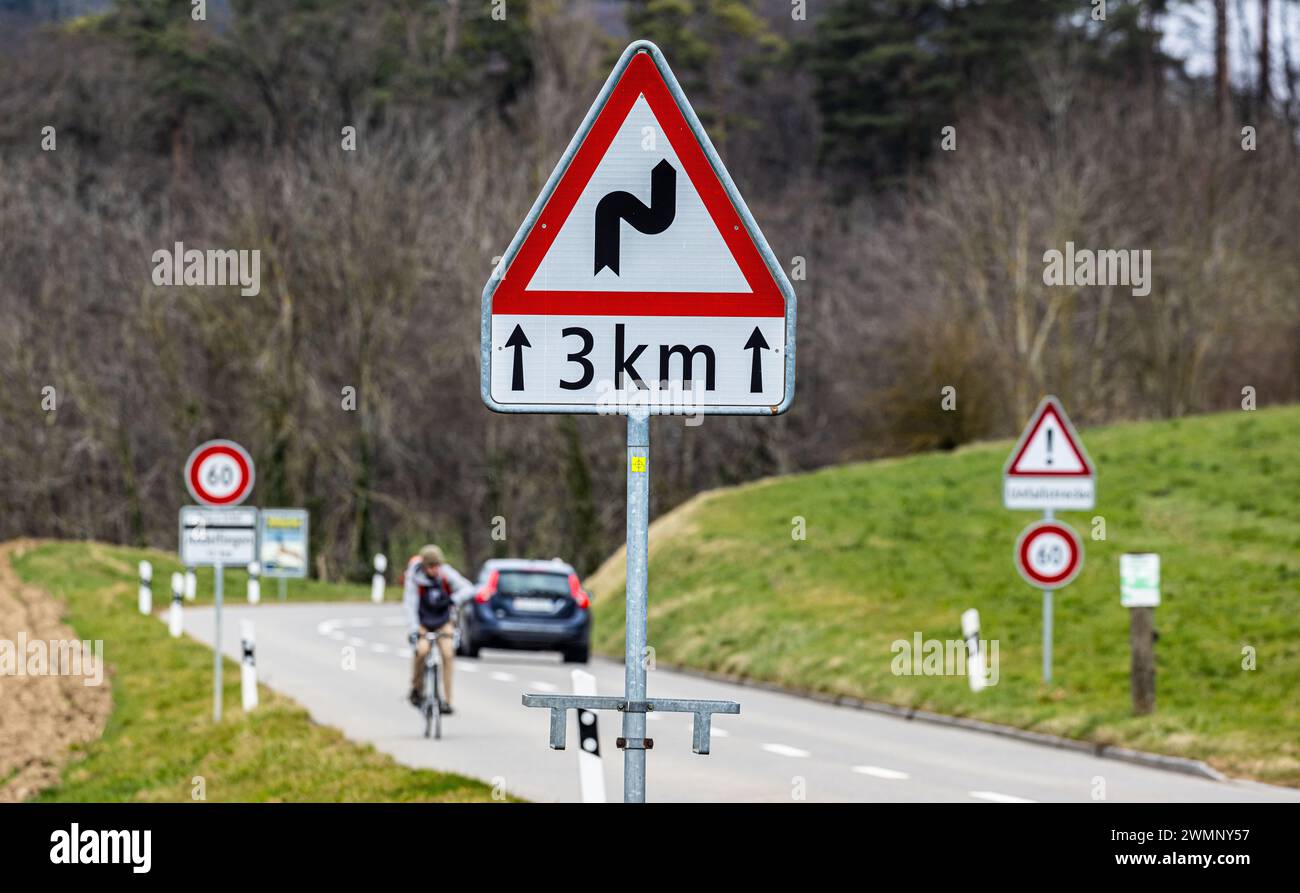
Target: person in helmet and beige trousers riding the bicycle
431,591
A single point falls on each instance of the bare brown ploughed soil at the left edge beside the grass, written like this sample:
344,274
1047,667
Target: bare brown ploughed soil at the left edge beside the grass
42,718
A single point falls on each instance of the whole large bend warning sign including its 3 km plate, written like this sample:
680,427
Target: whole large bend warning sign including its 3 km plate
640,278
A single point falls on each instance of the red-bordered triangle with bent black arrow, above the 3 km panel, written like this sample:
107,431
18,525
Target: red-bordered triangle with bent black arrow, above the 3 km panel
639,220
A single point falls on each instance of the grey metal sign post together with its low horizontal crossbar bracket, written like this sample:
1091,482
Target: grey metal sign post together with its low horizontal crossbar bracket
635,705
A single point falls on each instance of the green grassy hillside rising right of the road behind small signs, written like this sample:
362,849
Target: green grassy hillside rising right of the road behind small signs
904,547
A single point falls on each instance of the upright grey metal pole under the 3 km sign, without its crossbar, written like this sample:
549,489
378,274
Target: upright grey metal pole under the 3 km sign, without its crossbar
634,656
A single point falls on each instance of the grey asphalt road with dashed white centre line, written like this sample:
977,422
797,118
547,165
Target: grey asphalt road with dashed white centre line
781,748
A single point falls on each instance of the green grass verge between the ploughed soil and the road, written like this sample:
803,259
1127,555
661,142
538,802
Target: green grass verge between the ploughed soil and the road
161,735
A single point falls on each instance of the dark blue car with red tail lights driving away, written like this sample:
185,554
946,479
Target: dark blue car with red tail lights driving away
536,606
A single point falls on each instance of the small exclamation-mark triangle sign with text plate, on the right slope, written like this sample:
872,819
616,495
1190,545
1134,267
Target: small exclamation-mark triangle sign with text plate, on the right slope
1050,469
